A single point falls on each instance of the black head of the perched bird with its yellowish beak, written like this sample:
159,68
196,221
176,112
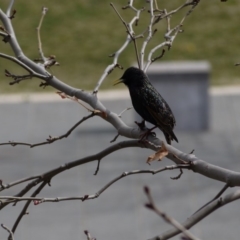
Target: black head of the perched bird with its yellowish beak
132,77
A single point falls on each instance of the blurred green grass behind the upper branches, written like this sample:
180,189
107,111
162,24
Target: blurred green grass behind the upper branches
82,33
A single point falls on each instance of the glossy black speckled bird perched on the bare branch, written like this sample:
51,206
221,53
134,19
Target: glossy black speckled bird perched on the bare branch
148,103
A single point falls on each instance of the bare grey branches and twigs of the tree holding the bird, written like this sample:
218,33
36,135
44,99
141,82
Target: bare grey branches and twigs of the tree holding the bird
231,178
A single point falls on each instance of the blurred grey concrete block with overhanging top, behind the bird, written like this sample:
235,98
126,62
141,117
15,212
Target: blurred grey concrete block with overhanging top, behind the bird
188,82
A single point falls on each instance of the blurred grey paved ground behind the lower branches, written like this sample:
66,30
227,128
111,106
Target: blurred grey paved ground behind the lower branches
119,213
